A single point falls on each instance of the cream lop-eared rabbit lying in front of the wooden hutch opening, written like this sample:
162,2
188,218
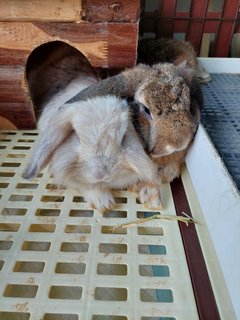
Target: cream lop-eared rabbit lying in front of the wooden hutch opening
92,146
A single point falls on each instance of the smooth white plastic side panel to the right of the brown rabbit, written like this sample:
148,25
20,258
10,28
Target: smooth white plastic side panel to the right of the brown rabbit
220,203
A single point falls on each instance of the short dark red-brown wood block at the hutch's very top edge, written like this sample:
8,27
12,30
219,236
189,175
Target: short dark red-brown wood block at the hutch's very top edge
110,11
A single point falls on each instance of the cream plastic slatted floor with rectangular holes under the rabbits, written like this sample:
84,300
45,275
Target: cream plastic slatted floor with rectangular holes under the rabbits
60,260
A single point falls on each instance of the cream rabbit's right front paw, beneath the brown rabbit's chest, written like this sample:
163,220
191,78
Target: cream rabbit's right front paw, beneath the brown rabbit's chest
150,195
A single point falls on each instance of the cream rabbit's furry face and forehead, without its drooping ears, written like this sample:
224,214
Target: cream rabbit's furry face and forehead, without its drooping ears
101,126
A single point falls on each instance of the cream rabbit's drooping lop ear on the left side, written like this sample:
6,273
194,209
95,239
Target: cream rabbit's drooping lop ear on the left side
49,140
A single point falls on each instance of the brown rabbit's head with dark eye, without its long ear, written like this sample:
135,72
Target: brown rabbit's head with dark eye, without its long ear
164,102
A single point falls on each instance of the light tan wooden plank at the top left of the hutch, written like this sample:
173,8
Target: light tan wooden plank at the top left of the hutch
37,10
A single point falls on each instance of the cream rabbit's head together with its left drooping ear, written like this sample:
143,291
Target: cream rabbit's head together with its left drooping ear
100,128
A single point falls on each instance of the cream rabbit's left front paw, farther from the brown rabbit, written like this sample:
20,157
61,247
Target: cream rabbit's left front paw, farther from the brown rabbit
100,201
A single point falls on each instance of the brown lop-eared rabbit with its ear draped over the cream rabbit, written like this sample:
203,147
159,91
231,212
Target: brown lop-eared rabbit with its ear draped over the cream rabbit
168,99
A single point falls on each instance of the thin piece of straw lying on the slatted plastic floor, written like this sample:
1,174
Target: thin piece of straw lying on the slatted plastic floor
185,219
